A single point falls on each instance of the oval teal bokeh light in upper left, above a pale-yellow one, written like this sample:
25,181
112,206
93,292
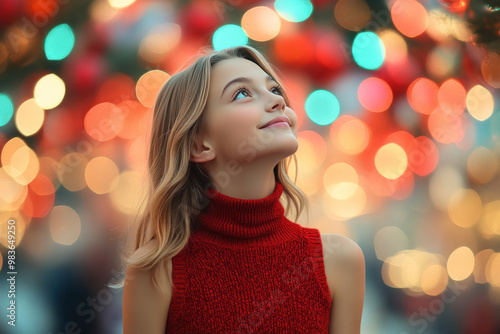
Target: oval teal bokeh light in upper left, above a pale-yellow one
59,42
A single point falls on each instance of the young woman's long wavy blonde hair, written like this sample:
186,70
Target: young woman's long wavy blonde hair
177,186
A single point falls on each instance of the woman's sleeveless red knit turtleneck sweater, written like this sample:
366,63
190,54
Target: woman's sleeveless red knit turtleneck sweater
248,269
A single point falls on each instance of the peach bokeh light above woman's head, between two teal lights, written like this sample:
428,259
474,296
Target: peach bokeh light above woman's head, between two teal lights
261,23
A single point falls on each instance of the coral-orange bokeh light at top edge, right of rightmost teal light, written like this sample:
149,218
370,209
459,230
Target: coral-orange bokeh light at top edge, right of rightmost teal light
409,17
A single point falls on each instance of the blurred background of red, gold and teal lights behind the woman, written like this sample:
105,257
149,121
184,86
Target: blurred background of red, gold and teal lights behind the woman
399,145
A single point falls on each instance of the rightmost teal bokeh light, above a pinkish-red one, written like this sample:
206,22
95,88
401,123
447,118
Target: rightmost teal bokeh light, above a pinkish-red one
368,50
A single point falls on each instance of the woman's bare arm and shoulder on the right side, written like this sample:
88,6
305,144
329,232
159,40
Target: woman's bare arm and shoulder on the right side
346,266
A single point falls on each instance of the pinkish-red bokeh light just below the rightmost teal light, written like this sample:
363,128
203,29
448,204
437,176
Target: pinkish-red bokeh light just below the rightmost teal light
375,94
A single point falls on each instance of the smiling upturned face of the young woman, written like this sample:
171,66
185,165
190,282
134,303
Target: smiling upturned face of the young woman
242,99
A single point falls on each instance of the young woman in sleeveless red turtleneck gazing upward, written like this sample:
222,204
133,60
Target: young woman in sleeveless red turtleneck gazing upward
214,252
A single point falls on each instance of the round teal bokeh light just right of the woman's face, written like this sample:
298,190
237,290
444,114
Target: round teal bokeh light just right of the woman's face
322,107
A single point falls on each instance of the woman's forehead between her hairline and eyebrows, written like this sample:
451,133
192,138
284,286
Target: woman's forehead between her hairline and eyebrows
229,69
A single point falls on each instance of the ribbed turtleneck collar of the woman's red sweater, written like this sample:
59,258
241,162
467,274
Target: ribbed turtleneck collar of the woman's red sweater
230,220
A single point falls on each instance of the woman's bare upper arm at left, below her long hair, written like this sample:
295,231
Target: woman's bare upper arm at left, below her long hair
145,307
